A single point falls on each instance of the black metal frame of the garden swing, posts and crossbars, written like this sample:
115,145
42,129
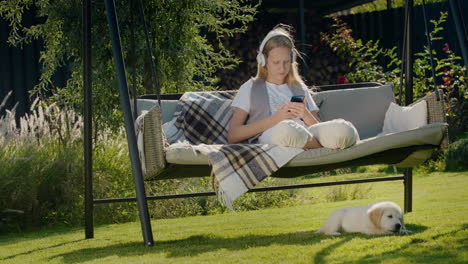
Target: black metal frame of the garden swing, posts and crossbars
141,197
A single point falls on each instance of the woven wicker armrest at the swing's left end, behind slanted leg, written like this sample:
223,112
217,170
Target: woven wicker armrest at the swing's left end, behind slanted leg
154,143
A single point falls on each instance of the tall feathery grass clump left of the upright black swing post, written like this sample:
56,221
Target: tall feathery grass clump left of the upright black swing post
40,166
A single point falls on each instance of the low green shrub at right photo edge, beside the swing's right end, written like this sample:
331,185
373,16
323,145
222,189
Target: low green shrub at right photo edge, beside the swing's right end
457,156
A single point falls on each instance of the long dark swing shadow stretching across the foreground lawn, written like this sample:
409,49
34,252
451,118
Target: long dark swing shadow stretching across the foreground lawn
196,245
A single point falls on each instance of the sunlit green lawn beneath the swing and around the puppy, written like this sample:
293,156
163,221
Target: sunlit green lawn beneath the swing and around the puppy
439,222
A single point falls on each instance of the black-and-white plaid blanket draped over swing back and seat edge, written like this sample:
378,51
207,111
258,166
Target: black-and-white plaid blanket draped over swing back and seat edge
202,121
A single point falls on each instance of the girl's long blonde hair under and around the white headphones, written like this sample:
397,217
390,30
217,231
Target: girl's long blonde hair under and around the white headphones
282,40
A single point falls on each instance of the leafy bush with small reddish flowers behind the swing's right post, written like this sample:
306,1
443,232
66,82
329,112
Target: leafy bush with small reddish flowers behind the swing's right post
364,61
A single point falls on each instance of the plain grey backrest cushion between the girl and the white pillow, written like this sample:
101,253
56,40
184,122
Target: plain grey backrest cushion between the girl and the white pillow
364,107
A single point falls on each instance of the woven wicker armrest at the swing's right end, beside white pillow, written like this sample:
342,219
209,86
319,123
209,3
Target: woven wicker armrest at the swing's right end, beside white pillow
436,112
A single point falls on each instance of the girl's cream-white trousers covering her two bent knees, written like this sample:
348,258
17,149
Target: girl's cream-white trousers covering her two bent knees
333,134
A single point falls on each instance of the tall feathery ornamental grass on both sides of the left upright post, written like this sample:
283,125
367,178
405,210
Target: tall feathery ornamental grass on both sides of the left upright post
41,170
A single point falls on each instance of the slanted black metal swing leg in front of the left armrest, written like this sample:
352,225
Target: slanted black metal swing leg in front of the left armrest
129,127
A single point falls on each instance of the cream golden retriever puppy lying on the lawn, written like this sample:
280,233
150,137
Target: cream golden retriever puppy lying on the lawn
375,219
